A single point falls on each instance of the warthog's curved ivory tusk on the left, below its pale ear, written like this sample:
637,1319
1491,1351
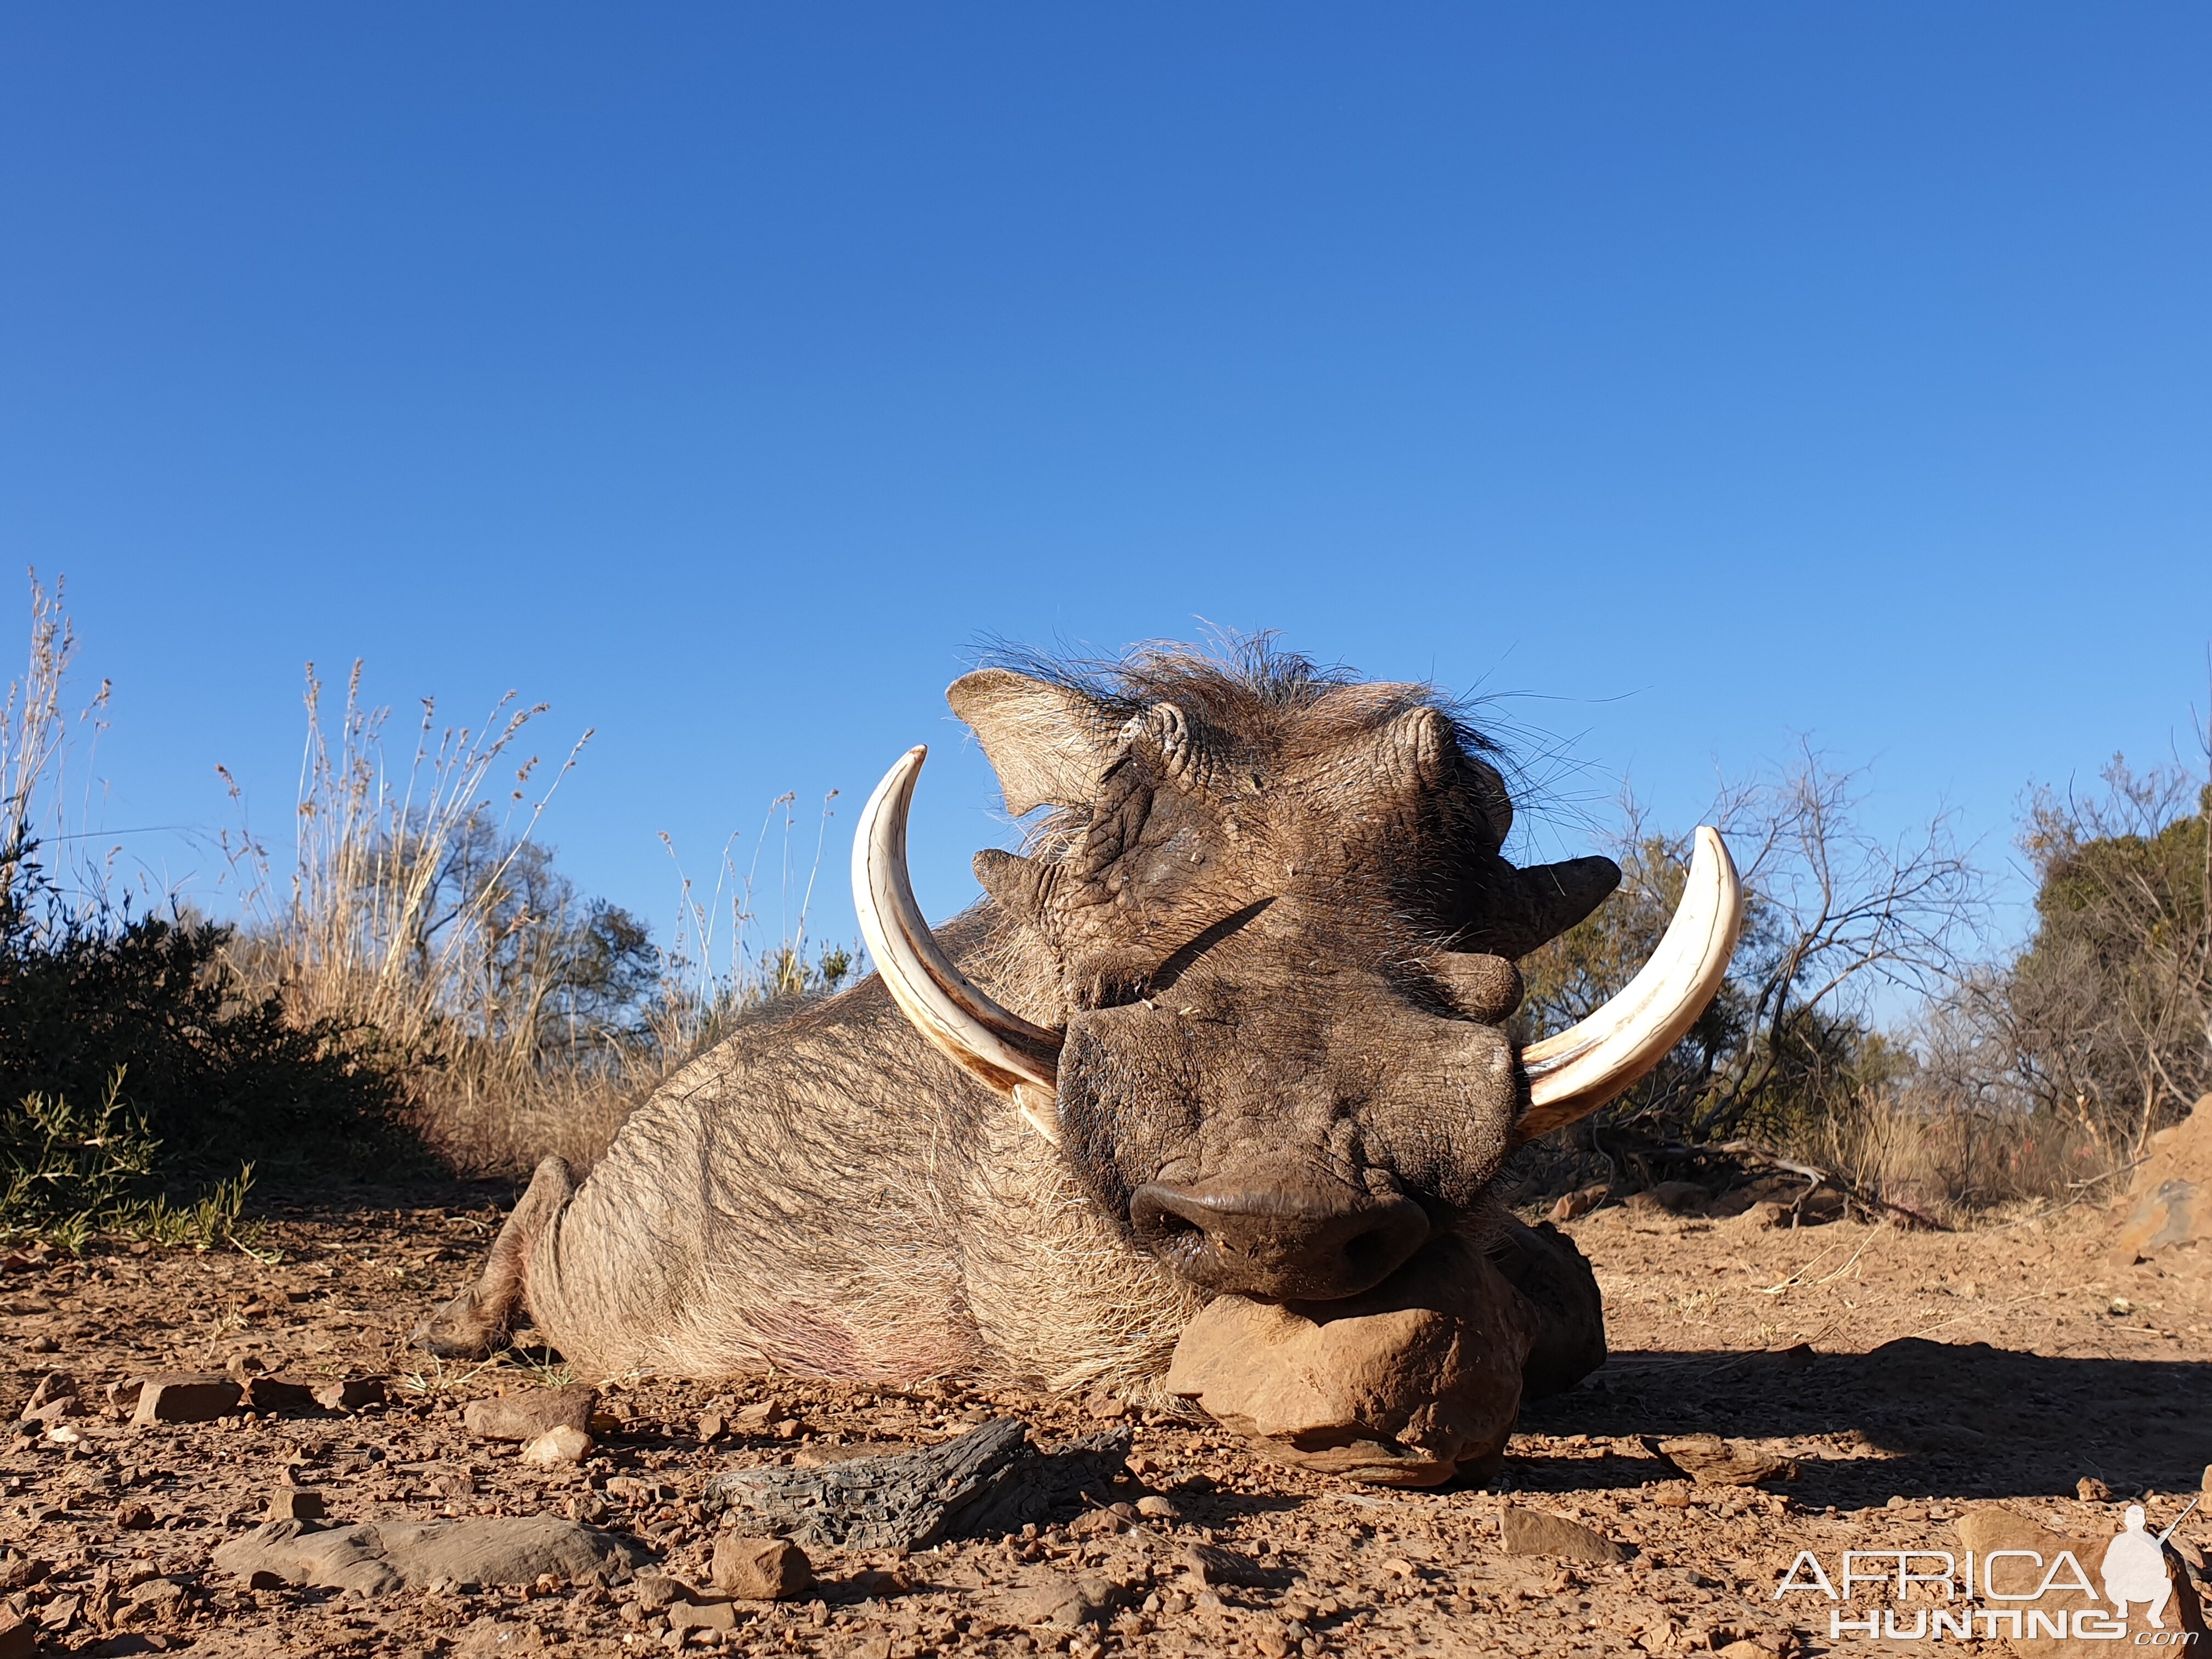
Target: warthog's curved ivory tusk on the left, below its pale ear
999,1047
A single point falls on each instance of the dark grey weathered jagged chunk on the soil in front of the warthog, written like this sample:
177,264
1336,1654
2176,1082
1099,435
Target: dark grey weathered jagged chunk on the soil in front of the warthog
877,1503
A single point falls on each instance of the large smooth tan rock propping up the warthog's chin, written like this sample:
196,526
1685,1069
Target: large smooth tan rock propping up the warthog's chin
1397,1388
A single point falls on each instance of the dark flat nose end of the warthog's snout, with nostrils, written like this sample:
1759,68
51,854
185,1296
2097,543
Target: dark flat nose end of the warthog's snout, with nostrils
1280,1242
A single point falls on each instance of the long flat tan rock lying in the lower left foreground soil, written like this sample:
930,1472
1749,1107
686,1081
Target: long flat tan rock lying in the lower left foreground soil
397,1556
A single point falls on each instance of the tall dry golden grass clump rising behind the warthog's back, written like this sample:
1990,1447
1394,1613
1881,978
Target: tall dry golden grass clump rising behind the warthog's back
421,908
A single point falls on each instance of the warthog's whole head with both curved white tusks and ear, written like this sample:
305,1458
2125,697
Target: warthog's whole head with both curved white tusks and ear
1269,950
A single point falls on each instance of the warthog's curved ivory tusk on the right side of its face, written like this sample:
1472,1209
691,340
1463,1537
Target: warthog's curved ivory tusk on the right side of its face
1600,1058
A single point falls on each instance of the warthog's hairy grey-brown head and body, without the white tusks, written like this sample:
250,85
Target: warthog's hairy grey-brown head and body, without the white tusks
1269,910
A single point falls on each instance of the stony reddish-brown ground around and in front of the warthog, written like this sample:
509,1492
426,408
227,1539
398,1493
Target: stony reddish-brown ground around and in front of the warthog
1884,1381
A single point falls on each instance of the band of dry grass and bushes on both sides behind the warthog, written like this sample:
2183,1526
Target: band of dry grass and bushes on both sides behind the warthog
408,968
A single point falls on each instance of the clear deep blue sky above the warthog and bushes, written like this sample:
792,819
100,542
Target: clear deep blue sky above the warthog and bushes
722,375
